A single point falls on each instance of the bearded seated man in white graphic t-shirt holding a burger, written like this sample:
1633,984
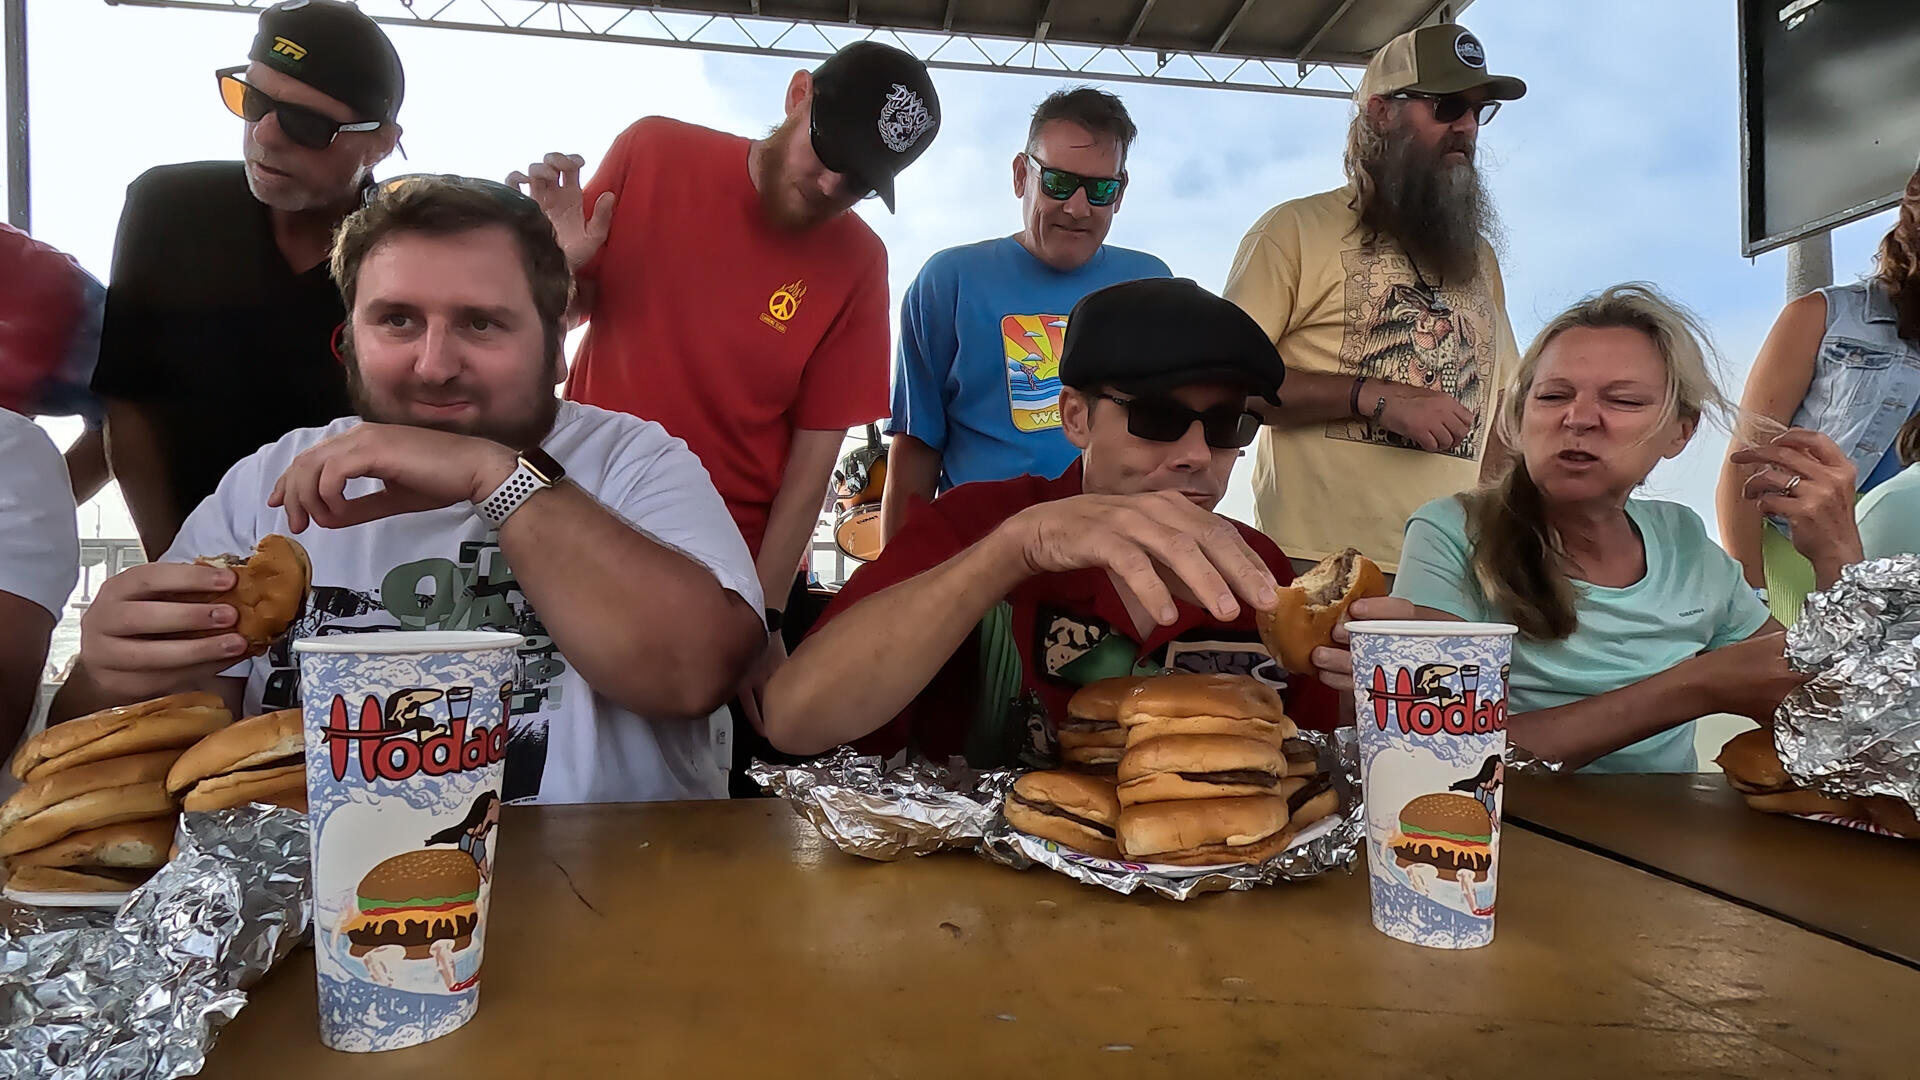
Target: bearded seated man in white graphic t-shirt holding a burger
466,497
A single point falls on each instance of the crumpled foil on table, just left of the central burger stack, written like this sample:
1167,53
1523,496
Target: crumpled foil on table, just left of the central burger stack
884,814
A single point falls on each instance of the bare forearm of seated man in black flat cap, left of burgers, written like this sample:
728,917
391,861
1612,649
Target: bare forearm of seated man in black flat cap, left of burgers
890,645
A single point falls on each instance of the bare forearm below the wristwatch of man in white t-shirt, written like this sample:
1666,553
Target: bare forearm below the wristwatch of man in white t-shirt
646,626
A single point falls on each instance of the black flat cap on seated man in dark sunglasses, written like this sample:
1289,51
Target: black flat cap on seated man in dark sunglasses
1161,333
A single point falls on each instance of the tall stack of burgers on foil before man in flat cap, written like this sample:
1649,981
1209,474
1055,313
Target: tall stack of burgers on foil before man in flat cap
1211,772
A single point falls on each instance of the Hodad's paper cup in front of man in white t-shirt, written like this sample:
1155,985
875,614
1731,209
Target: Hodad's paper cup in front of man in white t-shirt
406,739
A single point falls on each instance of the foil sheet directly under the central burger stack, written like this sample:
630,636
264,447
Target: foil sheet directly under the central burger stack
1333,850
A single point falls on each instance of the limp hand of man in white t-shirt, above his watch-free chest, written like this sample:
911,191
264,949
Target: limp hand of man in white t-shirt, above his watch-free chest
418,468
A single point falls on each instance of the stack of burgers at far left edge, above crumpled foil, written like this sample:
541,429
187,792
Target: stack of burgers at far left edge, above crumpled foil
95,814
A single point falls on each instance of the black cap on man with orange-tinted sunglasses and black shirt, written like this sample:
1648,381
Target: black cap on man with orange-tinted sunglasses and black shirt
337,51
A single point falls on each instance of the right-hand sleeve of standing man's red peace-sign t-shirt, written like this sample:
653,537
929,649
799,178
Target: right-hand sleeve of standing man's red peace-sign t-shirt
846,380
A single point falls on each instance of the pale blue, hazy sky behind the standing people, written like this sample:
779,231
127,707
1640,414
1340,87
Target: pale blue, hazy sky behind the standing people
1623,160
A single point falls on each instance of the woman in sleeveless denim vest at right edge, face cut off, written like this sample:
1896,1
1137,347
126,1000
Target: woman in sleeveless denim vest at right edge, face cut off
1842,362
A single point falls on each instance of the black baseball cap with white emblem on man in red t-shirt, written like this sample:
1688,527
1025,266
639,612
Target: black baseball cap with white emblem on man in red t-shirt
875,114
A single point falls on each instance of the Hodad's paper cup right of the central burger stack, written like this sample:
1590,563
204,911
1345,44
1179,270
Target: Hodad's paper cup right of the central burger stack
1433,735
